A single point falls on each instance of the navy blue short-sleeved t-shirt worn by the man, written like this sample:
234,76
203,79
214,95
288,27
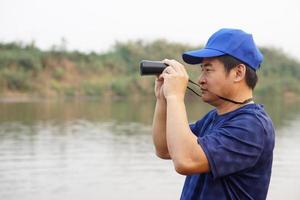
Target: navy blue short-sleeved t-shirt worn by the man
239,148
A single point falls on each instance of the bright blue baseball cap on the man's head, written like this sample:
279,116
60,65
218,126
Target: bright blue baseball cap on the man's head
233,42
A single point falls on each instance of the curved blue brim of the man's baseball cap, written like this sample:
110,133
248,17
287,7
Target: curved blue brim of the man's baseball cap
196,57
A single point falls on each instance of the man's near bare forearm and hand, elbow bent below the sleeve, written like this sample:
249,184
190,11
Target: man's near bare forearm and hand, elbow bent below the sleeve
187,155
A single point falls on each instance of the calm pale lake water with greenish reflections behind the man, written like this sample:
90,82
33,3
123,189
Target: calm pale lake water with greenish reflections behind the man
103,150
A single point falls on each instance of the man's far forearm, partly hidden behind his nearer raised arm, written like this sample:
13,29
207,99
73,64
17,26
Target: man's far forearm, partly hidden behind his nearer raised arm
159,129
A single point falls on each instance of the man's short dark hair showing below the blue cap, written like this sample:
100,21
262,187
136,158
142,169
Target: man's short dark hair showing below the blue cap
231,62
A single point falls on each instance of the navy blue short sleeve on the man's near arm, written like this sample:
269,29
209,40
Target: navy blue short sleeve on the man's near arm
235,146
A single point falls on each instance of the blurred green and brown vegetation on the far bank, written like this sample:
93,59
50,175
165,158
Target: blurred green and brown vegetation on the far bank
25,69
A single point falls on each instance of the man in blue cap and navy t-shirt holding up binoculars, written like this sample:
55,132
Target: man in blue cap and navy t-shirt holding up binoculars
228,153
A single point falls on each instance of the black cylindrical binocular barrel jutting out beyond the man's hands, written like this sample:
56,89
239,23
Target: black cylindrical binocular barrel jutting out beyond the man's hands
148,67
